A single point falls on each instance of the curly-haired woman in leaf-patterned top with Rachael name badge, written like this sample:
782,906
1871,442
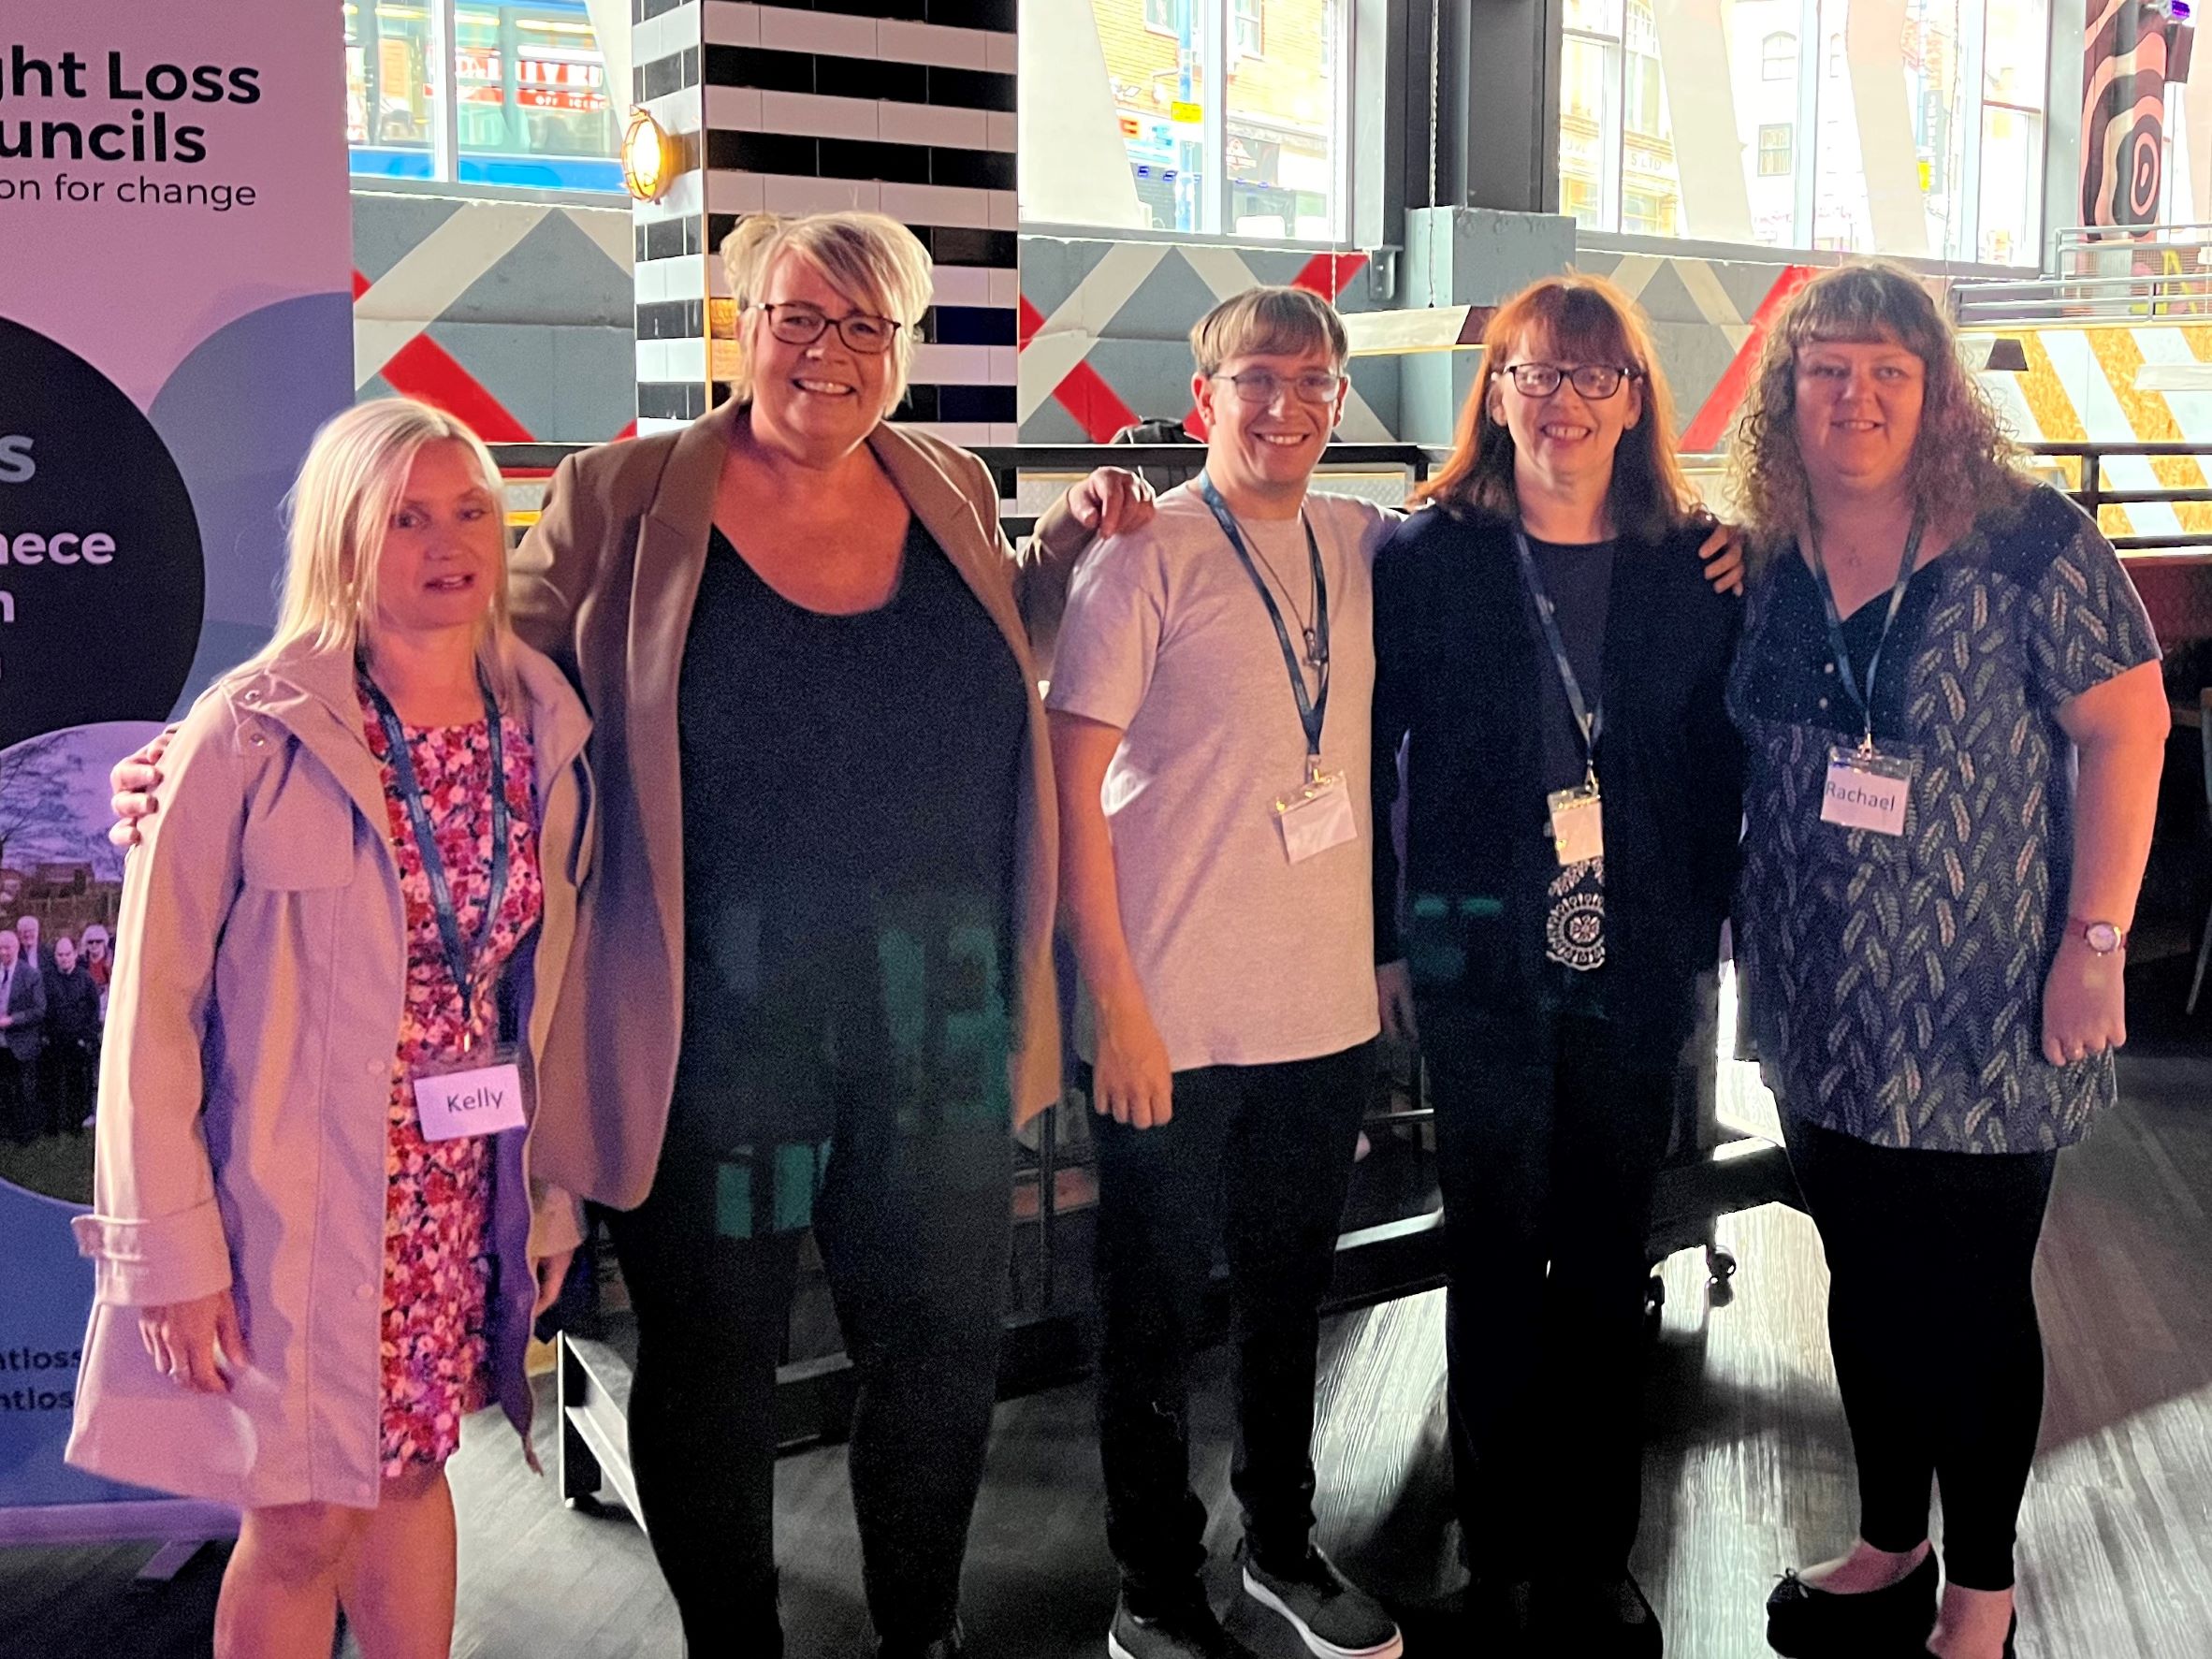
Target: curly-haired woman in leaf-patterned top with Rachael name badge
1954,718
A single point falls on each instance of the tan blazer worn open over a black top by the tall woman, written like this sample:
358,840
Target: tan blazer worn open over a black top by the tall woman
605,585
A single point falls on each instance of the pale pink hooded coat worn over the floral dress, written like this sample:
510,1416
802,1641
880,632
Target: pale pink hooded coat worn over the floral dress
247,1076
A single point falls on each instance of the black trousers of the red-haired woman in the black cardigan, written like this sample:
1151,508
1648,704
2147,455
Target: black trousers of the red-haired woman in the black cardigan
1550,1142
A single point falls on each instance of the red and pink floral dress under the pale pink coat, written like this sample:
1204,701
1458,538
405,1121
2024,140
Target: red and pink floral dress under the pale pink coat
439,1240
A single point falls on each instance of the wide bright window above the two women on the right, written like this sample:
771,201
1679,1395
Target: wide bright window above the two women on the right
1917,129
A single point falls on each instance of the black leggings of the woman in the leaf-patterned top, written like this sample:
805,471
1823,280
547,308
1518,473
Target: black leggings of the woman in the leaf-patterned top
1932,1319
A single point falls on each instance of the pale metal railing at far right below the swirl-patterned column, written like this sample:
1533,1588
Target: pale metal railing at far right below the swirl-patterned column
2100,273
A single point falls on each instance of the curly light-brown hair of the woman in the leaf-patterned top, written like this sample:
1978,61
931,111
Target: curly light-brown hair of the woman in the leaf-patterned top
1963,459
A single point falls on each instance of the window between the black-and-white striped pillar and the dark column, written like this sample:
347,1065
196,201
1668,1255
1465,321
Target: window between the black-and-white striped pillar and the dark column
1227,123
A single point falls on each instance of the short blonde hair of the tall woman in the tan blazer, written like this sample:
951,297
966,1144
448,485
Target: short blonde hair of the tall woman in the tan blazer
868,258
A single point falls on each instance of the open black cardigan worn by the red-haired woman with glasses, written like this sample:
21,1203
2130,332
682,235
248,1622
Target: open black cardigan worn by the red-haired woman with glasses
1465,682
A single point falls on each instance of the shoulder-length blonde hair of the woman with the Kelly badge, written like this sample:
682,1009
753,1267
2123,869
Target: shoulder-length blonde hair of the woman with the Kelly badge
348,490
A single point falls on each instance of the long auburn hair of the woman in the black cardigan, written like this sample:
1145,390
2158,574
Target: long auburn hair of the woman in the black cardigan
1589,320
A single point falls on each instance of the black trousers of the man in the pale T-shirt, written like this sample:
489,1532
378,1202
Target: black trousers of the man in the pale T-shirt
1255,1158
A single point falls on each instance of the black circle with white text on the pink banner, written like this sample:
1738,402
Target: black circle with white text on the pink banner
101,563
